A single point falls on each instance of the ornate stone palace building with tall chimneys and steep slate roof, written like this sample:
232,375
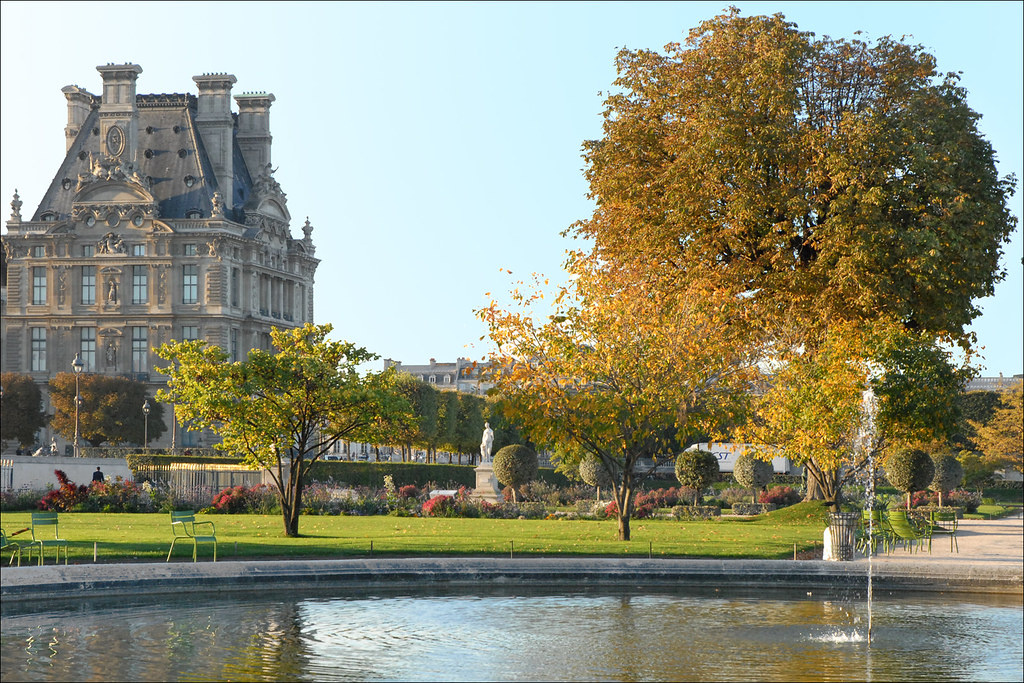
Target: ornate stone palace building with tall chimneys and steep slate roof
163,222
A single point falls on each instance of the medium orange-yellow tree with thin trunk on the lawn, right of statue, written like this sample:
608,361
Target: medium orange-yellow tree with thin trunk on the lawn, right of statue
622,373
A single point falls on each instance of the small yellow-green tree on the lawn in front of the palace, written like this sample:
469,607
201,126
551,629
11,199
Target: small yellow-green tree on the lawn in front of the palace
283,410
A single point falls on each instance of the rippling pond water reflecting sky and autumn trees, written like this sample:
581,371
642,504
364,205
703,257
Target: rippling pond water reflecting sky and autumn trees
622,636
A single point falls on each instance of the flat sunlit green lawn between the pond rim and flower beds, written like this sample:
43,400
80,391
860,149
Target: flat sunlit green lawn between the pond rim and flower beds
147,537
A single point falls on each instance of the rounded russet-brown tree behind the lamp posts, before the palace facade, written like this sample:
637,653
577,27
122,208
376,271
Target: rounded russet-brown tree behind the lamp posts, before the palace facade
111,410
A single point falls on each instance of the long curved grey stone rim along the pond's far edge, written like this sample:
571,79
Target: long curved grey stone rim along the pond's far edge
464,574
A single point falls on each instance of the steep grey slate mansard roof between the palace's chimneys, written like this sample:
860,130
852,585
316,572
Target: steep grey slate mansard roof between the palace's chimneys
170,156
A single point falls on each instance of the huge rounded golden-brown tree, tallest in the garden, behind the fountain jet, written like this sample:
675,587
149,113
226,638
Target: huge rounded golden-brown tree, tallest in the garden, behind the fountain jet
830,183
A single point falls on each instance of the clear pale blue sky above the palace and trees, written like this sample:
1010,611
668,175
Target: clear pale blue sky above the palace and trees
433,145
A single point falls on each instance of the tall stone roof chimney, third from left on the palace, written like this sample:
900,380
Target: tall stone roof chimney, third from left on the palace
217,127
